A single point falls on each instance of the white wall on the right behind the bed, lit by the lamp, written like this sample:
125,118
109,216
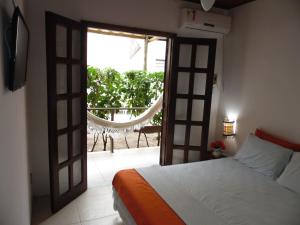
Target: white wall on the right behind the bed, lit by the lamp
261,69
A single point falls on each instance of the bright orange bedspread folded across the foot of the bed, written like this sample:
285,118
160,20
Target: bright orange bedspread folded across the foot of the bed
142,201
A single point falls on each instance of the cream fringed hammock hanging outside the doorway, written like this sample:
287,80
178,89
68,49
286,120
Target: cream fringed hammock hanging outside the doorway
102,125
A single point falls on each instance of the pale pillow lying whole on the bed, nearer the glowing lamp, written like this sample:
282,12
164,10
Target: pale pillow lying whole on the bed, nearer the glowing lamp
263,156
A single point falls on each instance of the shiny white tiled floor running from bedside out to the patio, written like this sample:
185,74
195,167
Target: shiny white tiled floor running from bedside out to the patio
95,206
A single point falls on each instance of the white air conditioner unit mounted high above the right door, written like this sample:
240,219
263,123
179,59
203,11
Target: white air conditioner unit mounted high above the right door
205,21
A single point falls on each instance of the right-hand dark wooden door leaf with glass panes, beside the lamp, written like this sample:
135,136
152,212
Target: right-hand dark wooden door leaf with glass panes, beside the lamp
188,100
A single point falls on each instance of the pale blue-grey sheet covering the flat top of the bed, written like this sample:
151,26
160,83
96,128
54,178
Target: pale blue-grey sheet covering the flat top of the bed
223,192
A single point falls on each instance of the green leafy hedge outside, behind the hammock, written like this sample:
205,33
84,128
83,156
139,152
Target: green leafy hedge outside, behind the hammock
136,88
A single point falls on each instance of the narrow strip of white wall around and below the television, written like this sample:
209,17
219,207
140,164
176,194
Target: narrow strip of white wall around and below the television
14,166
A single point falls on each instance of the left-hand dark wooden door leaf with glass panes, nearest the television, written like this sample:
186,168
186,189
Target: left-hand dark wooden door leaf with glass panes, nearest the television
67,128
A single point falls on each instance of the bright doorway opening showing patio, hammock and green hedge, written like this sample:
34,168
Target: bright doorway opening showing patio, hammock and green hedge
125,80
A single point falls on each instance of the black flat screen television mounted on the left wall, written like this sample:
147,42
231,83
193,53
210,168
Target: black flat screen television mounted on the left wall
19,41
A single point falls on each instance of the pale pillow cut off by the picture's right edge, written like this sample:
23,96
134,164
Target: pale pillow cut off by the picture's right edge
290,177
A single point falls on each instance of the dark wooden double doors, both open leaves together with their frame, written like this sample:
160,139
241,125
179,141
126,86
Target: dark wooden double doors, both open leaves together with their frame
187,61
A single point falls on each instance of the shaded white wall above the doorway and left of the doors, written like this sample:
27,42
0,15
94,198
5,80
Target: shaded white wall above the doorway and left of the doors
155,14
